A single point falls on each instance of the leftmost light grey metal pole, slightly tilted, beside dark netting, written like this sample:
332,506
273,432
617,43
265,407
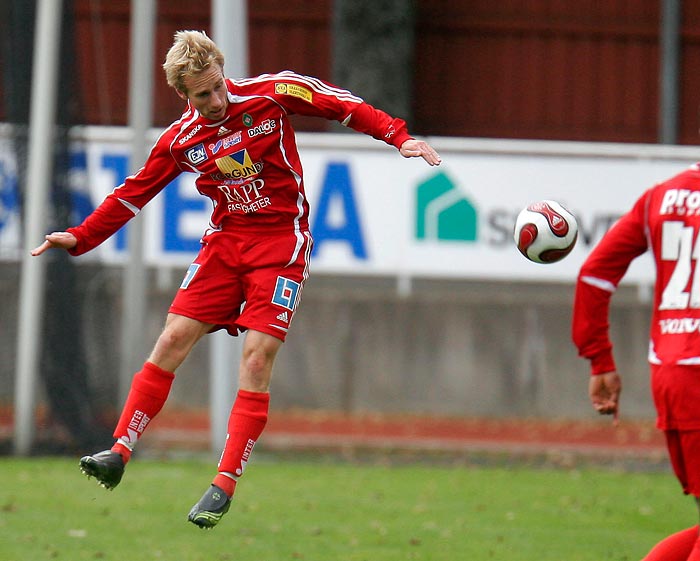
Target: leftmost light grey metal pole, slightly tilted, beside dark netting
47,38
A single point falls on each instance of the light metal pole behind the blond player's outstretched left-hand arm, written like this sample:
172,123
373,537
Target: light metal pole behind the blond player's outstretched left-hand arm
140,119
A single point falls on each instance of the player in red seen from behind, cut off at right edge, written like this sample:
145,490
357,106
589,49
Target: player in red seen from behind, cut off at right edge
665,220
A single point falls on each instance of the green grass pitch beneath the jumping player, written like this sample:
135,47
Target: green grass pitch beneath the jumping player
330,511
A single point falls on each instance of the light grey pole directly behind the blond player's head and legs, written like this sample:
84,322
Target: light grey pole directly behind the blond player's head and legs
230,31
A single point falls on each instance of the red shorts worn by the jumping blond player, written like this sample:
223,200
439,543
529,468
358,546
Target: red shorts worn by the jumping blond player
246,281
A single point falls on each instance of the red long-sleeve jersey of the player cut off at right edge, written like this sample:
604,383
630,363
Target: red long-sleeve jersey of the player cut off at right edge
666,220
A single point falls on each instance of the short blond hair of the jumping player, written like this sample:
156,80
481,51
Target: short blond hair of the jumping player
191,53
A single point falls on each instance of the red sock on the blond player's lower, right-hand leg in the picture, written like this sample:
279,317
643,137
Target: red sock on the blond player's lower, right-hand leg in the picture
245,424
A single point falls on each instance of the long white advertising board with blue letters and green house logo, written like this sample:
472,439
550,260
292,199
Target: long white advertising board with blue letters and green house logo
376,213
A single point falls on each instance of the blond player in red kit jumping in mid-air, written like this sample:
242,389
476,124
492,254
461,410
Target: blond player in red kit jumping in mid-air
254,258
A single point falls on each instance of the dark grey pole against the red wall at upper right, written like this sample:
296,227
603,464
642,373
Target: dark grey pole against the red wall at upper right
668,72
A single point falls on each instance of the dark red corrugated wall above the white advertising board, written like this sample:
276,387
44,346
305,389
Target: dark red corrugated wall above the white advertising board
541,69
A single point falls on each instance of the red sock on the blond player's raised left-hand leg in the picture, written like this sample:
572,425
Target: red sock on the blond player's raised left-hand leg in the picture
149,390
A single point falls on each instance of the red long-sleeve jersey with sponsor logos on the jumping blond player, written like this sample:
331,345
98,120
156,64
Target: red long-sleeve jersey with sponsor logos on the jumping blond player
247,162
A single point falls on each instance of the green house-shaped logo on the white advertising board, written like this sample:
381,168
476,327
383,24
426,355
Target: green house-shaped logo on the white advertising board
443,212
